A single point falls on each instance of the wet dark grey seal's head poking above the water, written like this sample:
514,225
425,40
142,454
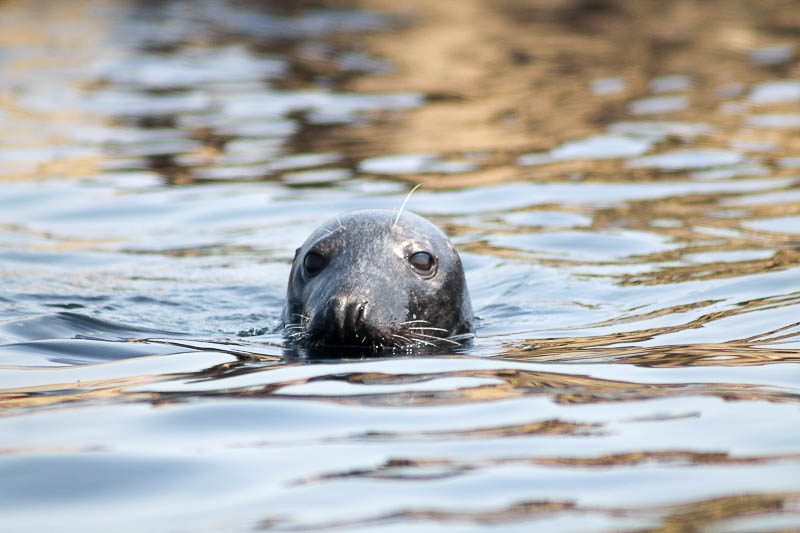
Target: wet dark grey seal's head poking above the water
365,282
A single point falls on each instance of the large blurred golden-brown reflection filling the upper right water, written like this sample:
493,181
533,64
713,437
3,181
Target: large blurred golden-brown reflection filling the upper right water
517,76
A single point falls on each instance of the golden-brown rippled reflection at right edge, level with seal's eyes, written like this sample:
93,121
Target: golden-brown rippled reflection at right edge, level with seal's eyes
700,231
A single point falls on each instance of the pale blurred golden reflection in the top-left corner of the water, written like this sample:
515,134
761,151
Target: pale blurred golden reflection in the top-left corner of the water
33,136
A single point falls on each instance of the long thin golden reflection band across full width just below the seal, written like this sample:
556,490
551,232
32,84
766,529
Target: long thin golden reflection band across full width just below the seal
513,383
